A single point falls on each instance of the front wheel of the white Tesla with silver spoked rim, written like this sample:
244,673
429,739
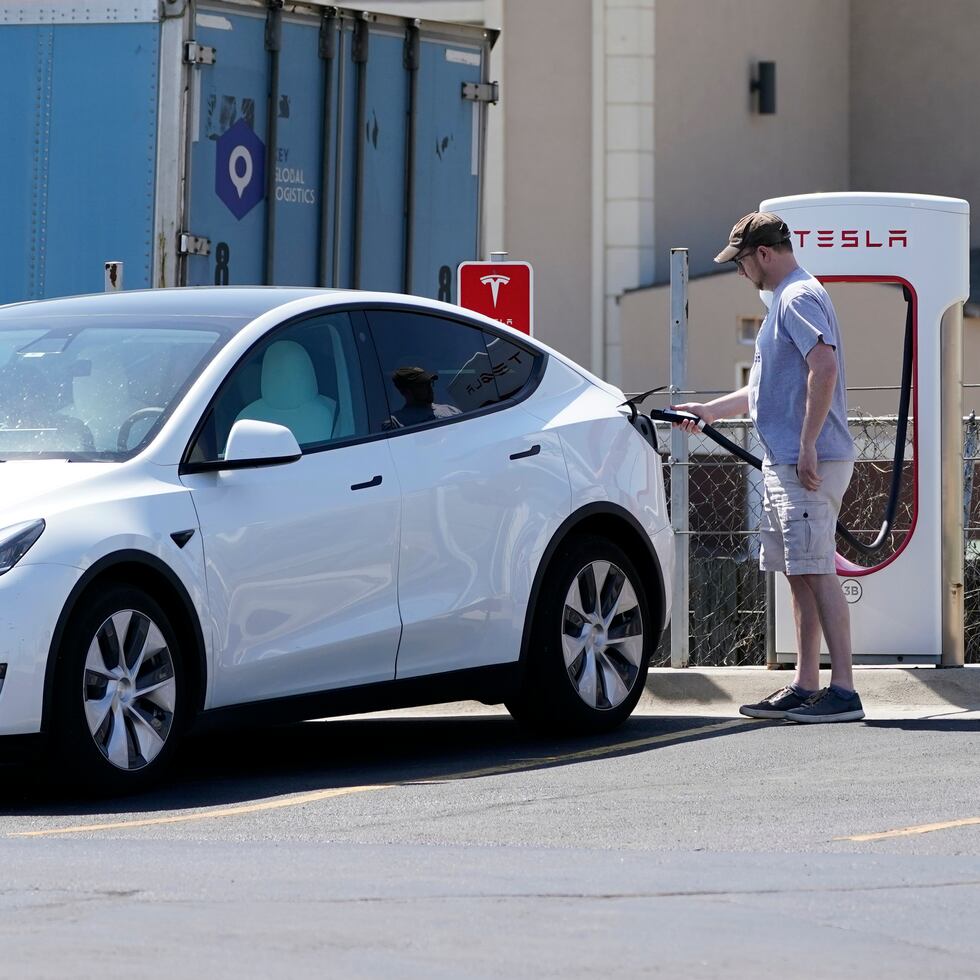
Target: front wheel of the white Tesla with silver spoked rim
120,699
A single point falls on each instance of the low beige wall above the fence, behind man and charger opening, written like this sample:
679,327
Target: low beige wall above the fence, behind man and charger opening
872,320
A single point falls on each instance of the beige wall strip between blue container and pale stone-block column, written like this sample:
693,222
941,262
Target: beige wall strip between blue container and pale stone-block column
548,163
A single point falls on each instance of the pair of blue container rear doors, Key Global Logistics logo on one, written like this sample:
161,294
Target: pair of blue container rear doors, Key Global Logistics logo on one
384,113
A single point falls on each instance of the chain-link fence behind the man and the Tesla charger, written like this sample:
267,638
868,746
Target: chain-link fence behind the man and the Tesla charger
728,594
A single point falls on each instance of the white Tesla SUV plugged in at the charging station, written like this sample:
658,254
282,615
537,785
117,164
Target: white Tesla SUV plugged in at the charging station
292,503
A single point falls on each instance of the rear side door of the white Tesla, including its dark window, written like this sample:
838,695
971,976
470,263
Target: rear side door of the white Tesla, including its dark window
483,488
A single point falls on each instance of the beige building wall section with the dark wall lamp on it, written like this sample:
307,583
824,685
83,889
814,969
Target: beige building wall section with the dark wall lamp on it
715,158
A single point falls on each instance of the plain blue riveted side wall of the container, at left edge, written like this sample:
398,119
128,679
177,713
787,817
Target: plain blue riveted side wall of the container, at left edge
79,110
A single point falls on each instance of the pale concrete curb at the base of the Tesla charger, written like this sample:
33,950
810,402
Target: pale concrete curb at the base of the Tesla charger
723,689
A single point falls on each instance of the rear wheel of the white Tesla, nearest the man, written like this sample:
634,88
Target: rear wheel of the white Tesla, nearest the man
590,645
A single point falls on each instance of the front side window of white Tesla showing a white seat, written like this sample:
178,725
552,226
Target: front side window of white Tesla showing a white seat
306,377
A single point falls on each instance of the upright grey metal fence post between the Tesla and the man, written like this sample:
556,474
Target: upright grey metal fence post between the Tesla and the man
679,472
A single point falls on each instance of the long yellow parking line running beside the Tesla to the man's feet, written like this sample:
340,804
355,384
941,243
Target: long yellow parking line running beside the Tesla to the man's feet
326,794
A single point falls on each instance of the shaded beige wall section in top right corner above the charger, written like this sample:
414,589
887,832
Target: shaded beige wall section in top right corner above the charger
914,95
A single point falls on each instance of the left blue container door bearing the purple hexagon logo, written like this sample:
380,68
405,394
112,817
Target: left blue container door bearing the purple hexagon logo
235,150
